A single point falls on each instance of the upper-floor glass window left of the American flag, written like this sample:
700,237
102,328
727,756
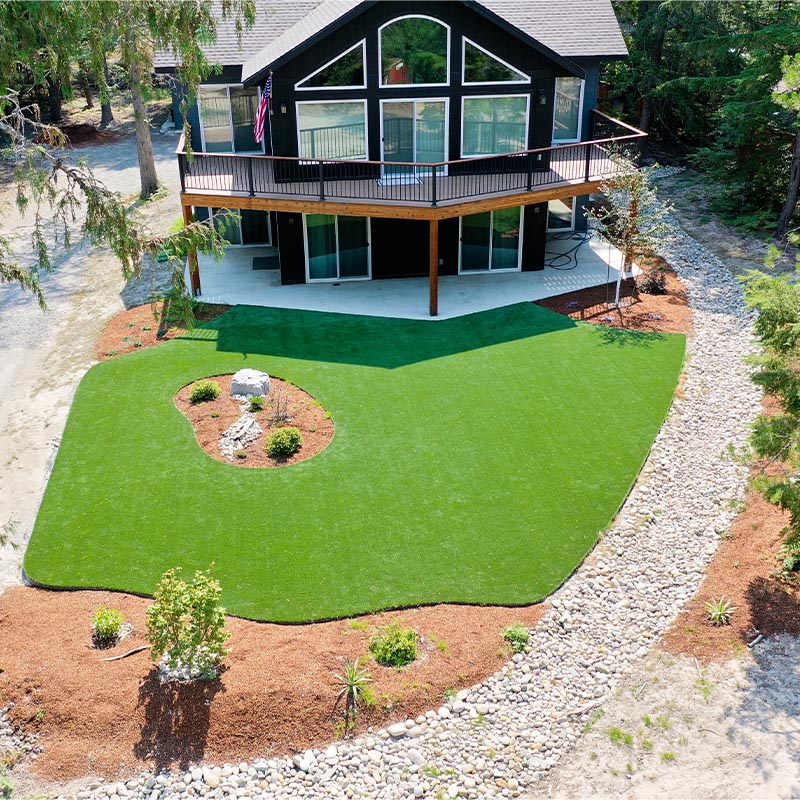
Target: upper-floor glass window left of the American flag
227,115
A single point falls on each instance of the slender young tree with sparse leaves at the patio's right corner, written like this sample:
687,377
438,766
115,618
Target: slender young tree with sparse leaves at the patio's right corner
633,218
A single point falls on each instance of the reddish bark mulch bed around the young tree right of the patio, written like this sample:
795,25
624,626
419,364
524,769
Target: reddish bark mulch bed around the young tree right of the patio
665,313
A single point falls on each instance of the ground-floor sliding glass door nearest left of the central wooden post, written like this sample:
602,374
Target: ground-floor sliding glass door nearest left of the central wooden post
337,247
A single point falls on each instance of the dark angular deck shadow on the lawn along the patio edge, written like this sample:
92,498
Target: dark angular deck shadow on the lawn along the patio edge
380,341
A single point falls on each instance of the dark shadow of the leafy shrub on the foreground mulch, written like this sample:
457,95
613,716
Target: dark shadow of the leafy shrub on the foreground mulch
176,721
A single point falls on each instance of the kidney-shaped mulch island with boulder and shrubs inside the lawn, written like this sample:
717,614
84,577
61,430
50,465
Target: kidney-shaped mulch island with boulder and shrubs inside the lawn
211,419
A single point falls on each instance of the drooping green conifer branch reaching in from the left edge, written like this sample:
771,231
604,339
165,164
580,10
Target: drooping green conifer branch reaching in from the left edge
64,194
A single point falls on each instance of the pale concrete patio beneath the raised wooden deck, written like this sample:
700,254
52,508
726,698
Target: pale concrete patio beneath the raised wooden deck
234,281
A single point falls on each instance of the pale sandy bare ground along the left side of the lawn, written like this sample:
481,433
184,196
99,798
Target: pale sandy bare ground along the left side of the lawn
43,355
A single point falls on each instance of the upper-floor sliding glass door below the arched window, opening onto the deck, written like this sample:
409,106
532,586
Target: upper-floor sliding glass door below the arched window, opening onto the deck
413,131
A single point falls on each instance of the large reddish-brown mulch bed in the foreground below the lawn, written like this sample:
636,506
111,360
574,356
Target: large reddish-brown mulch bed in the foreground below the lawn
276,696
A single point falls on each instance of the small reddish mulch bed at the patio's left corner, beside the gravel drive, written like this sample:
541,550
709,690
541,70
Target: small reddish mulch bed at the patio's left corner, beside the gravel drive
137,328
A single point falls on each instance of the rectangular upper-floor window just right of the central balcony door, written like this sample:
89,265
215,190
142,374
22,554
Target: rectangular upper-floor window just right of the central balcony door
494,125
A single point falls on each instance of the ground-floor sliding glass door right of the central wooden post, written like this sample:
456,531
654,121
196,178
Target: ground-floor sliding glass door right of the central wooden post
491,241
